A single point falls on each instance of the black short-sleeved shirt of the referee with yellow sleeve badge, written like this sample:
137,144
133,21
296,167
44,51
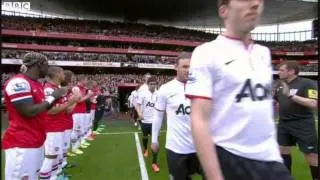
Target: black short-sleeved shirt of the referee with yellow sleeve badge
292,111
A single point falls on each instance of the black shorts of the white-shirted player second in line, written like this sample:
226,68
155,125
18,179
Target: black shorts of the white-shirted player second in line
182,166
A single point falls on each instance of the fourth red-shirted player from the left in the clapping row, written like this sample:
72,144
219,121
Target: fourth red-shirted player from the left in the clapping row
79,115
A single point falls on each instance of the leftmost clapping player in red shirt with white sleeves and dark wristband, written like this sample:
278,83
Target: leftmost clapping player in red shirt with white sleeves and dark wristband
27,106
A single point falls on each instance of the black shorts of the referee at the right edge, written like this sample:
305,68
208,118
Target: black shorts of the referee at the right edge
301,132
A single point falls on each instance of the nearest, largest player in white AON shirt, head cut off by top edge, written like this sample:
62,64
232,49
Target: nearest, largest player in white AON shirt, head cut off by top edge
231,103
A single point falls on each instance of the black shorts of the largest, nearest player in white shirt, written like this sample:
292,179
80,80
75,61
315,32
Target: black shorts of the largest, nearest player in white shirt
239,168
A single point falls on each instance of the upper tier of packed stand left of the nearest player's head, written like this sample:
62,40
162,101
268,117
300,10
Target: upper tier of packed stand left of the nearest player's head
103,27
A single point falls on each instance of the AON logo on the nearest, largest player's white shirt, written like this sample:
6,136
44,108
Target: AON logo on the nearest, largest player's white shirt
256,92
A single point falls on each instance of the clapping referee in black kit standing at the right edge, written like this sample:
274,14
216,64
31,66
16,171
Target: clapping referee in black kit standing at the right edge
297,98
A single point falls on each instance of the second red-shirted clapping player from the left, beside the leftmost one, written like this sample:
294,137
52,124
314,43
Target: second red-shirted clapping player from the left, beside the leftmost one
55,126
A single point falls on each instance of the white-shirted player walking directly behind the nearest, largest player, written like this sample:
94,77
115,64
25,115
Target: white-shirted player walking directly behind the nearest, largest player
181,153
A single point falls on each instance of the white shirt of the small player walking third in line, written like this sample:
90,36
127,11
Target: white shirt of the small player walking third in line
147,100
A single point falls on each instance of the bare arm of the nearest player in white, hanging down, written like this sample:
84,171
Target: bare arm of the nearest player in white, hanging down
200,116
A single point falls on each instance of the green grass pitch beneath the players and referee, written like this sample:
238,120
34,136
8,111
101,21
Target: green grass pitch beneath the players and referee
113,156
